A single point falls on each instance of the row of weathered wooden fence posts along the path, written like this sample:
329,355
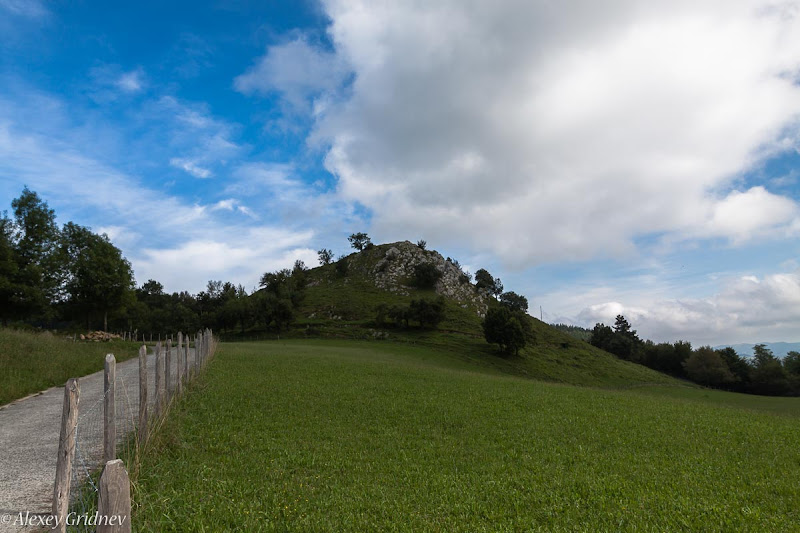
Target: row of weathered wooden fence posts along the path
114,487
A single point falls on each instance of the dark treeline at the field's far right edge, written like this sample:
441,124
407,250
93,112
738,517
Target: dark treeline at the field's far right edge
722,368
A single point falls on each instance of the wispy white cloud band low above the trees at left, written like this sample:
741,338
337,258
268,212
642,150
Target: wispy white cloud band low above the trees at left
181,245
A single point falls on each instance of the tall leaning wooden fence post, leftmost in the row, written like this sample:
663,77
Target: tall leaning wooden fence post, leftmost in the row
66,453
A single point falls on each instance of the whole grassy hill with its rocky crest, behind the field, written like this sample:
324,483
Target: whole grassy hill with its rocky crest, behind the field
345,306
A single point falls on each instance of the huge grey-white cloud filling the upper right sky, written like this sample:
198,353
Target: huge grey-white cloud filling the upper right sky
548,132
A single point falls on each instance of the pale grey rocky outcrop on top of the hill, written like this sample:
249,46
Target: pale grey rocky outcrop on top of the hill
395,273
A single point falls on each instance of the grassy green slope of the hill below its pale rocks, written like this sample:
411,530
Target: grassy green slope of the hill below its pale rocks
338,306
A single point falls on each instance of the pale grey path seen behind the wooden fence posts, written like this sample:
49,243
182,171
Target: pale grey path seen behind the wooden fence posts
29,433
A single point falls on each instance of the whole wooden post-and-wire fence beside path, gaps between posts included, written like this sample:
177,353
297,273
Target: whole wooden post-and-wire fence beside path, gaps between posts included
92,484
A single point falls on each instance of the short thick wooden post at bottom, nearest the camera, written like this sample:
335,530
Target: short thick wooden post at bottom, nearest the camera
114,501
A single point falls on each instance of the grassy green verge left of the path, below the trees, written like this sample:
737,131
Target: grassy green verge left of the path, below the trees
32,362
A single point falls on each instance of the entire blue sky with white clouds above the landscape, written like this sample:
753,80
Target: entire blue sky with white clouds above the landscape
606,159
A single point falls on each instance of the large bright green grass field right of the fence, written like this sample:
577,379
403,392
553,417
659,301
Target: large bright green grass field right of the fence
378,436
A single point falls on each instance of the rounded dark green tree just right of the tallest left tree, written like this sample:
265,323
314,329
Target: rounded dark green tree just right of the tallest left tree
99,277
